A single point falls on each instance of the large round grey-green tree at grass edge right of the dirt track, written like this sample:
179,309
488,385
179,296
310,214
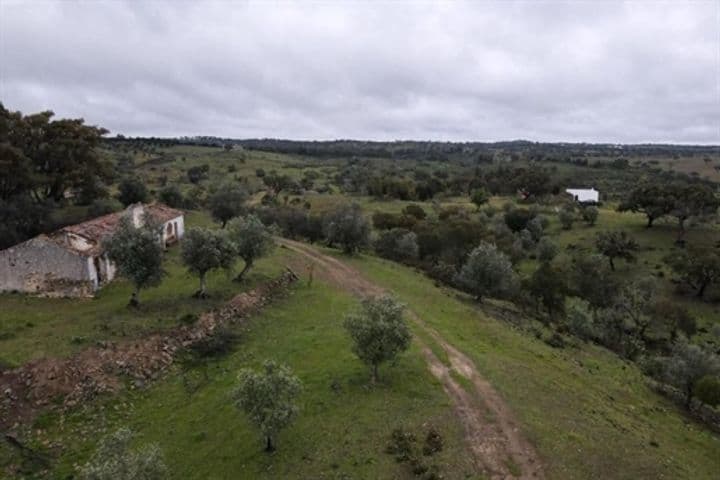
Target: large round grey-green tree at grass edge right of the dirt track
487,272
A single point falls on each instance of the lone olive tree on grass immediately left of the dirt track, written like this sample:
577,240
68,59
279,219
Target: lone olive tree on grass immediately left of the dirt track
378,330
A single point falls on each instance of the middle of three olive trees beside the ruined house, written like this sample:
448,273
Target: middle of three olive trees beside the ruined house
203,250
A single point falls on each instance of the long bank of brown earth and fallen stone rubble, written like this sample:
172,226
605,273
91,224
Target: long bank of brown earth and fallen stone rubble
72,381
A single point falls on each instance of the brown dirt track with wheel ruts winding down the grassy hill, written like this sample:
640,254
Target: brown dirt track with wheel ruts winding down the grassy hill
491,431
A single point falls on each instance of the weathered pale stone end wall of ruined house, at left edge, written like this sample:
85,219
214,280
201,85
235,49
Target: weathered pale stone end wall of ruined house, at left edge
41,266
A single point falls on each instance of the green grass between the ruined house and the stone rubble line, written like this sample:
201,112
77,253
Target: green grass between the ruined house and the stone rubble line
32,327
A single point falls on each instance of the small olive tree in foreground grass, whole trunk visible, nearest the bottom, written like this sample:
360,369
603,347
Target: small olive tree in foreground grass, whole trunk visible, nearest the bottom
268,399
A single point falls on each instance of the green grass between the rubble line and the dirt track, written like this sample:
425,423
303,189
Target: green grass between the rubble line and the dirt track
341,432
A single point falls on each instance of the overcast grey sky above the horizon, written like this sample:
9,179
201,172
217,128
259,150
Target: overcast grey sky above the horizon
548,71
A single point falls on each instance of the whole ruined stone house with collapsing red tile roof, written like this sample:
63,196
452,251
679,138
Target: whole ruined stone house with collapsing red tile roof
71,261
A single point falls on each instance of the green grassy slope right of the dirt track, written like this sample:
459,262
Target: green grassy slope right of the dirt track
590,414
